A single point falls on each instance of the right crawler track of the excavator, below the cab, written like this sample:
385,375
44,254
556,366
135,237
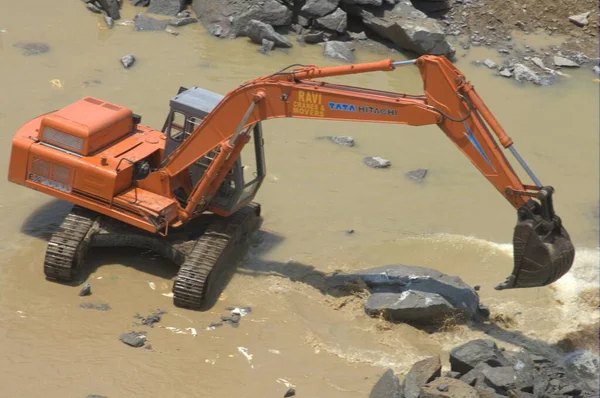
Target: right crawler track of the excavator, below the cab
195,276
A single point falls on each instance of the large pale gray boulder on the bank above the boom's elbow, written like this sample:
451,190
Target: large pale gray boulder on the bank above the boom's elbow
407,27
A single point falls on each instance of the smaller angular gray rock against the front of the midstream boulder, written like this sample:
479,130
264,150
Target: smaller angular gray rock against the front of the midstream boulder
414,307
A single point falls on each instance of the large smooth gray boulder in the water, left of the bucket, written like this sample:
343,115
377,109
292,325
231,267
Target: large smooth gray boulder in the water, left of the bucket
431,286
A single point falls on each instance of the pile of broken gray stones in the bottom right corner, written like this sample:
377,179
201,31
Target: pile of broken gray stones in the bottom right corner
479,368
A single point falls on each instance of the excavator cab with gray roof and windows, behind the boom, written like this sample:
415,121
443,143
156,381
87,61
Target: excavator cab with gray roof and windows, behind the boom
187,110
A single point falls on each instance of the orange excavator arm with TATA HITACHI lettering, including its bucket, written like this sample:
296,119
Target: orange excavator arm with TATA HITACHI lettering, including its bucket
543,251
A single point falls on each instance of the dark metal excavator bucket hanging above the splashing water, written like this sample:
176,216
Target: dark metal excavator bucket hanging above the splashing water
543,251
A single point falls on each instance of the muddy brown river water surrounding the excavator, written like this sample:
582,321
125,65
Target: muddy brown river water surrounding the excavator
315,191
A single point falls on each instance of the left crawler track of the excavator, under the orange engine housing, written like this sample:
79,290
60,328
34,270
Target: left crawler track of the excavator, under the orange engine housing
67,245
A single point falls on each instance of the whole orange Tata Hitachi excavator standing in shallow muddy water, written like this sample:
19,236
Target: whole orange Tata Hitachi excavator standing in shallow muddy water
184,193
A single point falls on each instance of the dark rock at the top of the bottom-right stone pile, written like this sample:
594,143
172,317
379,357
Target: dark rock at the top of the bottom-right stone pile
464,357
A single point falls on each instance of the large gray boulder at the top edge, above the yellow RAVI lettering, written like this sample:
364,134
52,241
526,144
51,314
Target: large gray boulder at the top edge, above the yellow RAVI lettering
229,18
